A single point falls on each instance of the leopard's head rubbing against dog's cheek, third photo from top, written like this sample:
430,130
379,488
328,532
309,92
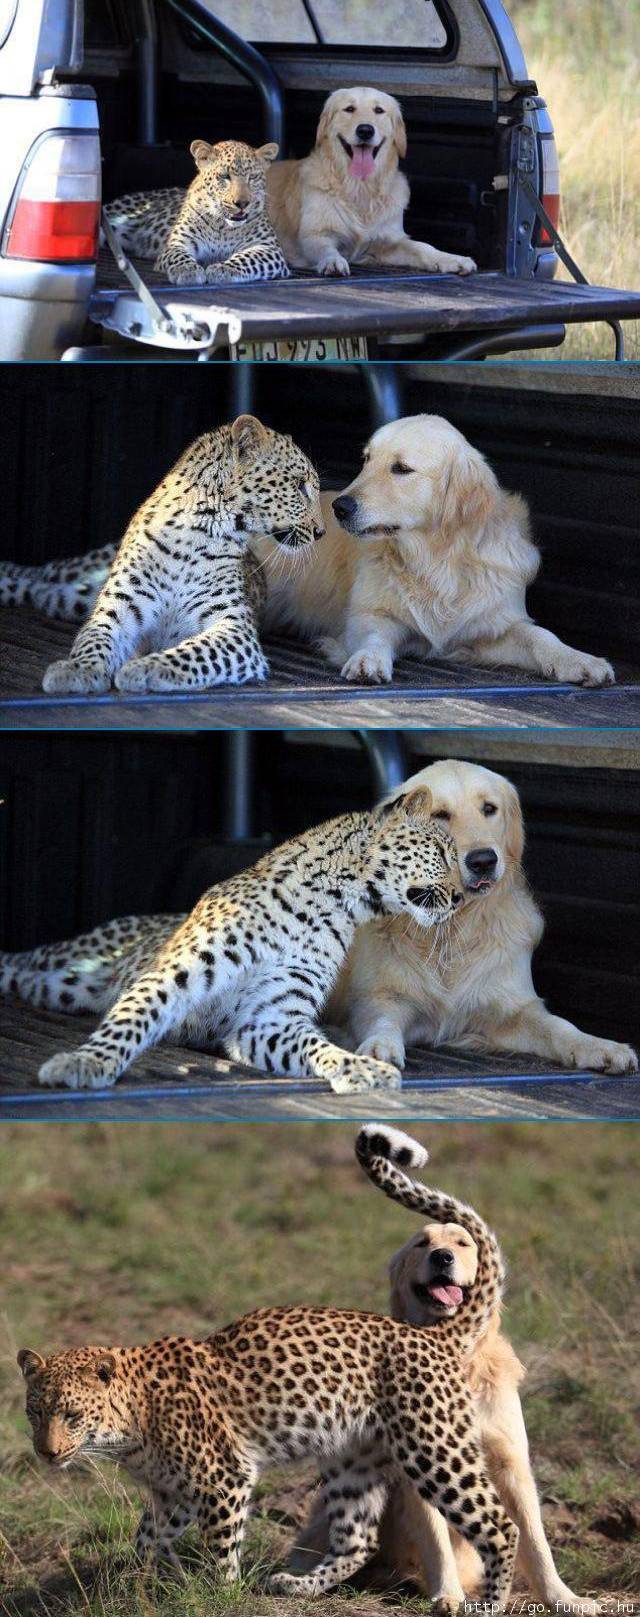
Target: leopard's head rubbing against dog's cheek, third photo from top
415,864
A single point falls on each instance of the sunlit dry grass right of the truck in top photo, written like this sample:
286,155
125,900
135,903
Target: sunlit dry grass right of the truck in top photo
586,59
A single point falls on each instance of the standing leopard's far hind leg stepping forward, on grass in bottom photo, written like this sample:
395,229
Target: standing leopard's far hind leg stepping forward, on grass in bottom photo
355,1497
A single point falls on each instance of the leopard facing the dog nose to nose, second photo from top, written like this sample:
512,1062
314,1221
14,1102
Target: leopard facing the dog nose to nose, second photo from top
179,609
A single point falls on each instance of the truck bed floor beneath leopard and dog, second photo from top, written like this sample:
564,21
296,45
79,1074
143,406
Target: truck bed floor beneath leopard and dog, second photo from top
301,691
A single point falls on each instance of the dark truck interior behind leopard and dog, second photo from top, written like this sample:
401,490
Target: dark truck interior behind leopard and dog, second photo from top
96,444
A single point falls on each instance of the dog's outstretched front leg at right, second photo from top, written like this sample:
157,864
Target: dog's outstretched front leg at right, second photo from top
528,646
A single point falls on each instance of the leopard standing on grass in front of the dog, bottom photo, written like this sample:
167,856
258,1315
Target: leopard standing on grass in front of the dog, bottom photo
198,1424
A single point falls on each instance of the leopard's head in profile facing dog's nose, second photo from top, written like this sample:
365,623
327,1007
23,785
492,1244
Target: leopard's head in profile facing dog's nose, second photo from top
274,486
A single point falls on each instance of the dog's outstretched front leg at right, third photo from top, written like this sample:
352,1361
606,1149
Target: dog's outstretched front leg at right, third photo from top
534,1031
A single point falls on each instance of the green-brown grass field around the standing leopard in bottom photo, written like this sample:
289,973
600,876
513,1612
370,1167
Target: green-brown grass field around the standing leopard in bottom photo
125,1233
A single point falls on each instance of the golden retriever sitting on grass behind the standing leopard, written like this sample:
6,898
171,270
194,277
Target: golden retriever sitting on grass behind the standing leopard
431,1278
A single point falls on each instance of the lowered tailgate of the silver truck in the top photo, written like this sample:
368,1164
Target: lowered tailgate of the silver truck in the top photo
376,303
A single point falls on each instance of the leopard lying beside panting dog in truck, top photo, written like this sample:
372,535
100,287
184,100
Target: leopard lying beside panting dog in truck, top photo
217,230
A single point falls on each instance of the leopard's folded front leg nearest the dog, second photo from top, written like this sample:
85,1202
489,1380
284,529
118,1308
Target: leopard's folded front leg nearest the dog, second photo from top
227,652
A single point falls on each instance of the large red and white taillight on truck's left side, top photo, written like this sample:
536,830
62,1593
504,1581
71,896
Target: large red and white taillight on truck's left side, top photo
57,208
